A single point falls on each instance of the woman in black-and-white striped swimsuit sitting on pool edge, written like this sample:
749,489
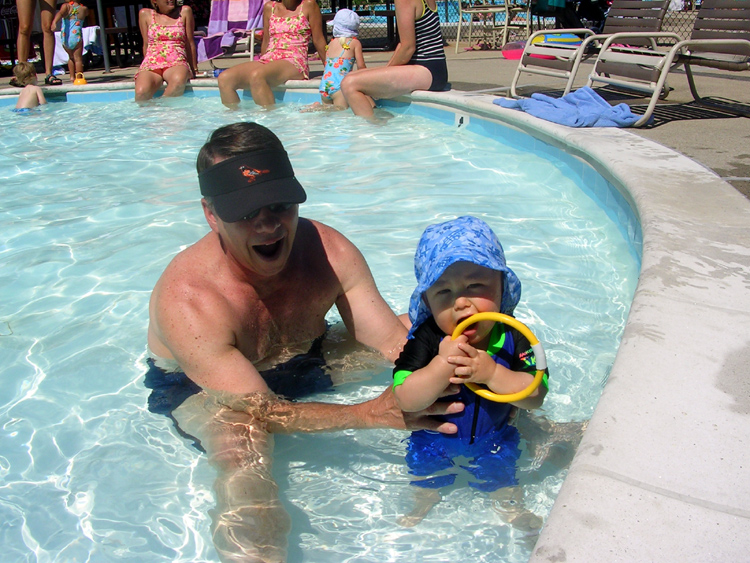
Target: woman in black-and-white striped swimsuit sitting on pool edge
418,63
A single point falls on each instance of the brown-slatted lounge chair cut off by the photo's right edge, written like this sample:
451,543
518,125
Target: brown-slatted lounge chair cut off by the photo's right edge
720,39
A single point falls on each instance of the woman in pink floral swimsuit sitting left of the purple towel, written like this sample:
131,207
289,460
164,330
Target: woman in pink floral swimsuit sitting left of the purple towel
169,49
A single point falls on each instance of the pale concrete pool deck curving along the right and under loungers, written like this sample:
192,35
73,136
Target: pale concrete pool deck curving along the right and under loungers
660,474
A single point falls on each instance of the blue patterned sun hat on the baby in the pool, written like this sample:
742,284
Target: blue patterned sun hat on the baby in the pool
466,239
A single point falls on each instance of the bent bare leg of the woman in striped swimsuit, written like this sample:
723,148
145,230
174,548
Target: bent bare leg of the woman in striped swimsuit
383,82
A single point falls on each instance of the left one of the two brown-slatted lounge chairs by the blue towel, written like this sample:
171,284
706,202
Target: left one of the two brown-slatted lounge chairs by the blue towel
563,60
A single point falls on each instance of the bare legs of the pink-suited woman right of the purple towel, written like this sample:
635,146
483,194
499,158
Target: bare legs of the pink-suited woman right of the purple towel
259,77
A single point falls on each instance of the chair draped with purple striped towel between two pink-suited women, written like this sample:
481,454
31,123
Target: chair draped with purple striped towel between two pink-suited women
231,30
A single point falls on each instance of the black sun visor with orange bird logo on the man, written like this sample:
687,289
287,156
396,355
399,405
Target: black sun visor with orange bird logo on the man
245,183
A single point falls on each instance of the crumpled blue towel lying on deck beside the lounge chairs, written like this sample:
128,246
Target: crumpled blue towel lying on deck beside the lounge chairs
582,108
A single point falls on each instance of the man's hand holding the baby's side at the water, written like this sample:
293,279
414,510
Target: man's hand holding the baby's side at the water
384,413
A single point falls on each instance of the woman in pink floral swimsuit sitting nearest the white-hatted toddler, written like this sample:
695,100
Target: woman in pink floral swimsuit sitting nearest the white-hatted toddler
287,28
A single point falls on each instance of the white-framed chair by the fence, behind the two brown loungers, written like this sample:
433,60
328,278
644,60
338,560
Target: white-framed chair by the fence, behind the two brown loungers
513,14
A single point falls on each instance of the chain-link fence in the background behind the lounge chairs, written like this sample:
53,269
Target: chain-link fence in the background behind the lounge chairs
373,31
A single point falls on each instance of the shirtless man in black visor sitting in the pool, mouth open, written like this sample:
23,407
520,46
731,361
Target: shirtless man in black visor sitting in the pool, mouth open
251,293
